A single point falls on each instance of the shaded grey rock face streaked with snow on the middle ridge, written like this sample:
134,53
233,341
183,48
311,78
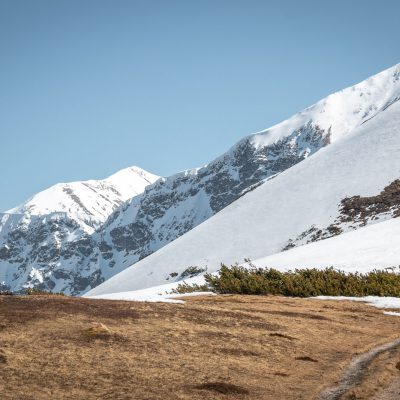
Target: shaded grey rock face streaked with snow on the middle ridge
174,205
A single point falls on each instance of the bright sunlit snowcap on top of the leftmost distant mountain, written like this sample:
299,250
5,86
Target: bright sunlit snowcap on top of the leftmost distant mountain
89,201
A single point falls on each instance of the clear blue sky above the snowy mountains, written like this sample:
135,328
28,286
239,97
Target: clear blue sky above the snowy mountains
90,87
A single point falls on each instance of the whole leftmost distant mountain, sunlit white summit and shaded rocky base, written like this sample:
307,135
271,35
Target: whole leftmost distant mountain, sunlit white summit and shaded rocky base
46,241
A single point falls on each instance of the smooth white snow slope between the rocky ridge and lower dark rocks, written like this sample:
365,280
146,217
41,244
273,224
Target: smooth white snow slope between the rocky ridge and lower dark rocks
305,197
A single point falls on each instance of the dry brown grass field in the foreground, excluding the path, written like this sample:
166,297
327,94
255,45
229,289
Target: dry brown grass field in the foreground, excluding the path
222,347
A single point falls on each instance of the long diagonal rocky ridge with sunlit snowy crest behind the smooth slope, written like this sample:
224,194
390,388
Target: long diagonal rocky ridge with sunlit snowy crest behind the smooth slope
175,205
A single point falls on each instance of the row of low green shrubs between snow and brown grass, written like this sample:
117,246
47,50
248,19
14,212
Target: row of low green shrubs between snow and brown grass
298,283
